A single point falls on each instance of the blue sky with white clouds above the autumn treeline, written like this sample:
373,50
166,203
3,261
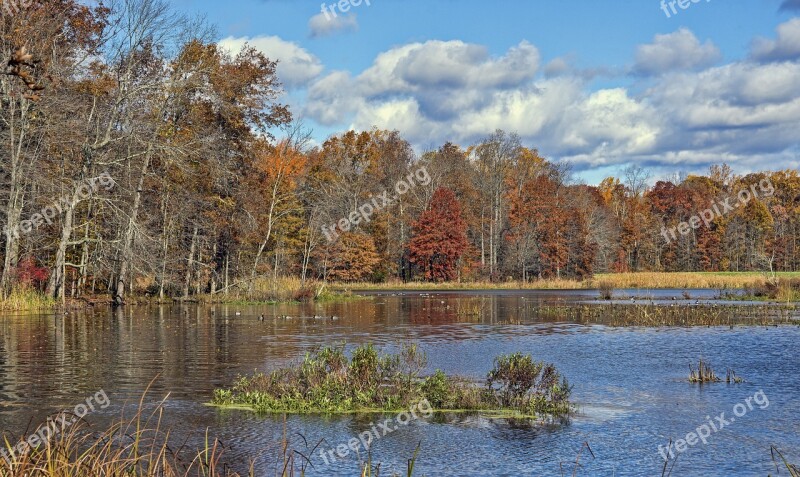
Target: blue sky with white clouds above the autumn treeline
599,84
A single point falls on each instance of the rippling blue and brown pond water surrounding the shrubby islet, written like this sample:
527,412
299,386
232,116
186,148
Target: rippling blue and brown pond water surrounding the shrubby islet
630,384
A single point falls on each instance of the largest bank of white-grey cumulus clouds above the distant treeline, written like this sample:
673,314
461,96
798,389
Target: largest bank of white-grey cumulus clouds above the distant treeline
692,114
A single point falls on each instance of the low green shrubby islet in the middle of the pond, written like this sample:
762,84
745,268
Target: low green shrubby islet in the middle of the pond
328,382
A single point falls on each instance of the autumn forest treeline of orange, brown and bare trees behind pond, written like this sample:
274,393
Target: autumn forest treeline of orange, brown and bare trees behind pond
139,157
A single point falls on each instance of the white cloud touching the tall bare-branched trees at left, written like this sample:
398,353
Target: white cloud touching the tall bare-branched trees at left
296,66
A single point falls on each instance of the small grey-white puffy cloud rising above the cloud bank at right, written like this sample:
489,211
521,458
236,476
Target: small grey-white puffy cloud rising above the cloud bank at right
676,51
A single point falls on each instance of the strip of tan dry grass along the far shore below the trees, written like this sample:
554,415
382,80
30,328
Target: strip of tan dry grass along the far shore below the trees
712,280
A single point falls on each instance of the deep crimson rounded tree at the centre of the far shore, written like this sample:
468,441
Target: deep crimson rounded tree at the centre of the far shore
440,238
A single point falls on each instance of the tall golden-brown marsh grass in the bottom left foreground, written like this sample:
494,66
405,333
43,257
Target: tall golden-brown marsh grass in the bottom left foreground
138,446
